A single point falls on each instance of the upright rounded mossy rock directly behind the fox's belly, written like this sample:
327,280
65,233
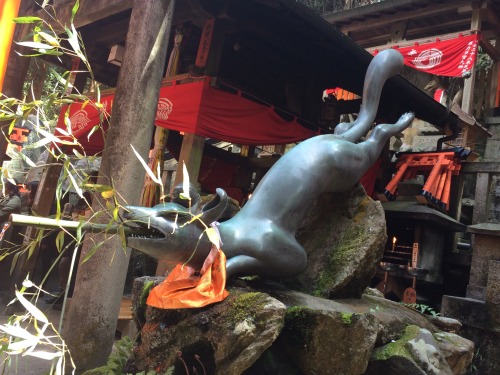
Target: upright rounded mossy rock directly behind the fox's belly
344,235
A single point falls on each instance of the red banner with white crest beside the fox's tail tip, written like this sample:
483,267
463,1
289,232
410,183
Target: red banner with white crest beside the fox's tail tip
452,57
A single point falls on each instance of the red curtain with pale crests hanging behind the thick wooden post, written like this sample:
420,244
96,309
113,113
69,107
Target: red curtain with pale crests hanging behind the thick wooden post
197,107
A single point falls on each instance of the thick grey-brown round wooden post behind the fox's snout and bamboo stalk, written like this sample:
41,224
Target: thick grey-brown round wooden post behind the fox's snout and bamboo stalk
93,311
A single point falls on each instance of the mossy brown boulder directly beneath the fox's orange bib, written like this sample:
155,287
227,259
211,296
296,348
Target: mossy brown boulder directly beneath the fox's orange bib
225,338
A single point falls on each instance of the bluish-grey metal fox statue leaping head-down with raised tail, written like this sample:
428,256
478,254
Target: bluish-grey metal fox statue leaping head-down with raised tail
260,238
